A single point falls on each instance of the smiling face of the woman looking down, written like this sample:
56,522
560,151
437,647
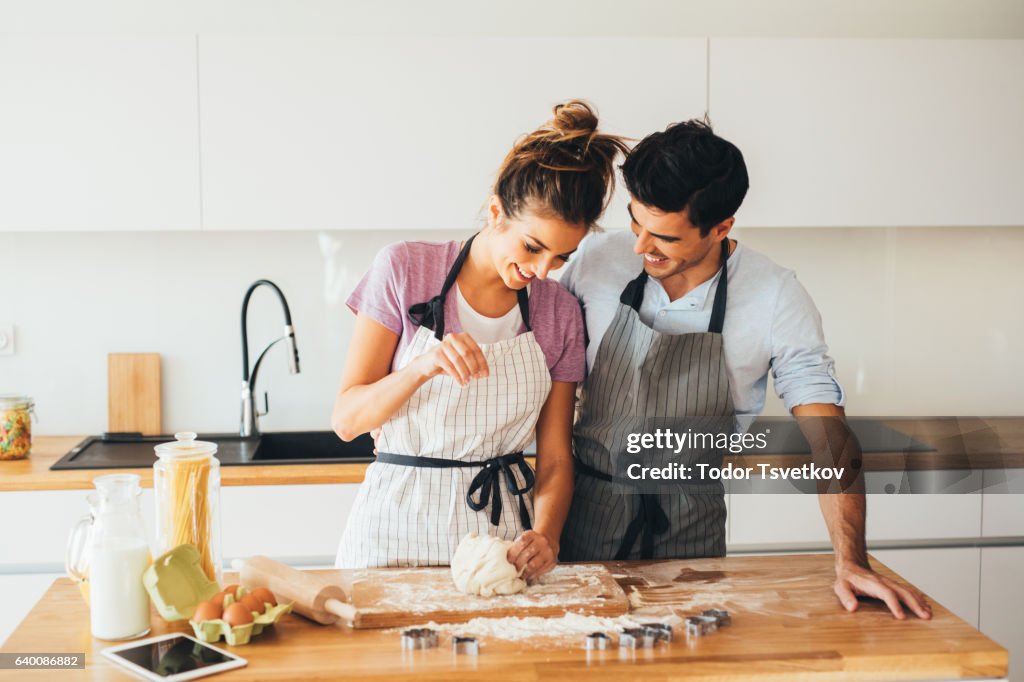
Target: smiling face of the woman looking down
531,245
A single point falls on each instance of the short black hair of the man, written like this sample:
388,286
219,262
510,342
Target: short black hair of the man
689,166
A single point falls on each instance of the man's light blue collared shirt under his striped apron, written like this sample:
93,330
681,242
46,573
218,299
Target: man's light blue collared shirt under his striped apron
772,324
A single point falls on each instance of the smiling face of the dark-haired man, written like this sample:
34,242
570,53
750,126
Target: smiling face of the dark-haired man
669,242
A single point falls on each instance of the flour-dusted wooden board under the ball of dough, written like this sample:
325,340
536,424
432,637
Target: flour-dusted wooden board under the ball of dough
395,598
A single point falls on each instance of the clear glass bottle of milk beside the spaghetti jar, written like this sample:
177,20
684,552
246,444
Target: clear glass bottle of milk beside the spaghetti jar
118,556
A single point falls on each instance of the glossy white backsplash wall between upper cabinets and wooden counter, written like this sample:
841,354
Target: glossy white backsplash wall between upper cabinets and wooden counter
921,322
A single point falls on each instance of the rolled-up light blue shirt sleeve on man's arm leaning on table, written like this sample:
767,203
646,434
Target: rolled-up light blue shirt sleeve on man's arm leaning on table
802,370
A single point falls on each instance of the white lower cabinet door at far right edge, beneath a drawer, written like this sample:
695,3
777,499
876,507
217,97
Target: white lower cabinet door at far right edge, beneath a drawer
1003,603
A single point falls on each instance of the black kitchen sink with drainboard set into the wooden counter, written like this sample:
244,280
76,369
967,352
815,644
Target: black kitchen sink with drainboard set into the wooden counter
119,452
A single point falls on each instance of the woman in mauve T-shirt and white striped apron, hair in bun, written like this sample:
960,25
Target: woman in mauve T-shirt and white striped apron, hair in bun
460,351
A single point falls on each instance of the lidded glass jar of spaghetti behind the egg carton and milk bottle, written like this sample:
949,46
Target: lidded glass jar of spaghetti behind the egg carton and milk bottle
187,483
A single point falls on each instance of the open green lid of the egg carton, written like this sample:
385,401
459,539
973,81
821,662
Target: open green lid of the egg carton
177,583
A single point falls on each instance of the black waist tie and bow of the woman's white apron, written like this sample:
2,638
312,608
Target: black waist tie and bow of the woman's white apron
486,485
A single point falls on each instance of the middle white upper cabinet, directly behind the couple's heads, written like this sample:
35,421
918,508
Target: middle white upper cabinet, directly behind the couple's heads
321,133
